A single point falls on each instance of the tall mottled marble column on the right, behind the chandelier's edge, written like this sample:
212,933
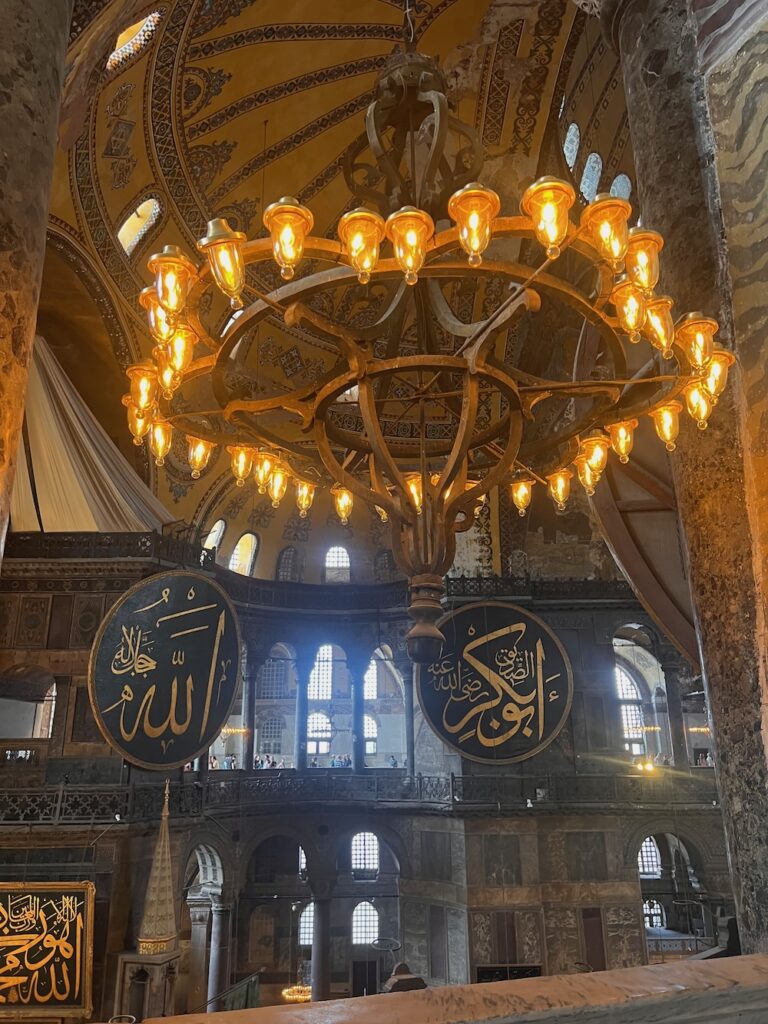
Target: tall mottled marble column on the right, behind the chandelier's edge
716,483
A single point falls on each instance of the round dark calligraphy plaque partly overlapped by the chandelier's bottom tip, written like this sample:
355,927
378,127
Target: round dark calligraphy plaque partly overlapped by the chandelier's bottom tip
502,691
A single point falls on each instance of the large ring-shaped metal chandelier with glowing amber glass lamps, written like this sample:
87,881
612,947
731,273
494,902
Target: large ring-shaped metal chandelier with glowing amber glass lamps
423,411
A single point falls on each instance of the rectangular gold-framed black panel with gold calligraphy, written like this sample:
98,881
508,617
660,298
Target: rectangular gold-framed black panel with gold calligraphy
47,950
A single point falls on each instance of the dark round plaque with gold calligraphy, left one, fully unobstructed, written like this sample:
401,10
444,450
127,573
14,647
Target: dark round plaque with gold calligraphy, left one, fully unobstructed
164,670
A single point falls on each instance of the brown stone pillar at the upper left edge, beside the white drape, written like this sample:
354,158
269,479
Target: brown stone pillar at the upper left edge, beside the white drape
33,46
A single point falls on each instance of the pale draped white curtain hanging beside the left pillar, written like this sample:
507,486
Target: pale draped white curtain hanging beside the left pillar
68,461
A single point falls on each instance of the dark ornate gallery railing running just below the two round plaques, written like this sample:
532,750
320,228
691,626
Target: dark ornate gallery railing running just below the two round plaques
250,793
